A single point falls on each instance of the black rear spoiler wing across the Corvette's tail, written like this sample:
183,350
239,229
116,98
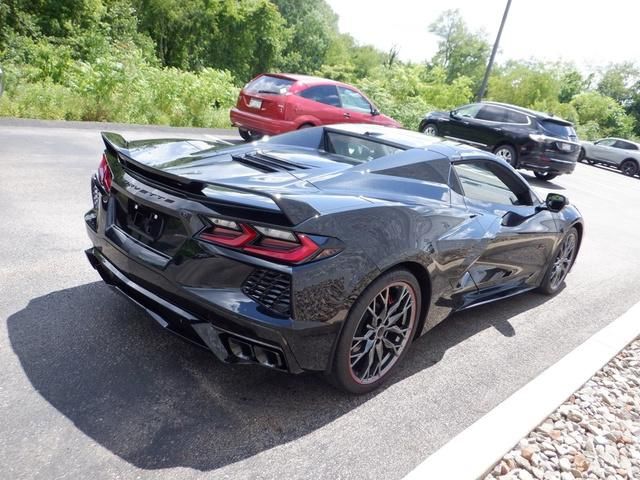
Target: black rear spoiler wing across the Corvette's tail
295,211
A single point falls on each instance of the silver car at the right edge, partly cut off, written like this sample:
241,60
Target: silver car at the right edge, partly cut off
616,152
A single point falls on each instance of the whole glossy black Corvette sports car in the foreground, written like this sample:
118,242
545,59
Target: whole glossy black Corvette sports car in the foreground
326,249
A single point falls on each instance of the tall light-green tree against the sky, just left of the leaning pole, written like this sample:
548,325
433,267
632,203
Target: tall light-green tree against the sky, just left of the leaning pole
460,51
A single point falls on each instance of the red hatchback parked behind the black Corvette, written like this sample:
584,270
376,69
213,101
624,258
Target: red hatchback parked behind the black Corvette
276,103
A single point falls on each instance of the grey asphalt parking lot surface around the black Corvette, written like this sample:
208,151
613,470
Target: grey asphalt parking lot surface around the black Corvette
91,387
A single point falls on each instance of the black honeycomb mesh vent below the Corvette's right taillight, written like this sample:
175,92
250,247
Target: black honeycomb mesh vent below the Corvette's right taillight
271,289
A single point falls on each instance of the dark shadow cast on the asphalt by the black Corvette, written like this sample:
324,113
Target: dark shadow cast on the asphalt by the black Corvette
158,402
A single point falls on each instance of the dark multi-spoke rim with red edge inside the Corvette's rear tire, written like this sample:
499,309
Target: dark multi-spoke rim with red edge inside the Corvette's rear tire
383,332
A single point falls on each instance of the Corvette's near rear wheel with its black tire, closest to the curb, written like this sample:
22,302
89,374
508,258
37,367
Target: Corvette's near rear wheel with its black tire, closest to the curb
354,369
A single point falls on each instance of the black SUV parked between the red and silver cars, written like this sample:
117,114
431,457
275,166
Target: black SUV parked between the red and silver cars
527,139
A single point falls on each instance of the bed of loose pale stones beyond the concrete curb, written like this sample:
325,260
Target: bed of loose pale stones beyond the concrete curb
595,434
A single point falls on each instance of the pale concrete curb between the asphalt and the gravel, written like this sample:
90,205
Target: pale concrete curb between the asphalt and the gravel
487,440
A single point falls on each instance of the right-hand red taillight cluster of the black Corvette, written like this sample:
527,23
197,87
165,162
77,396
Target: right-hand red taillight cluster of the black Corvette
279,245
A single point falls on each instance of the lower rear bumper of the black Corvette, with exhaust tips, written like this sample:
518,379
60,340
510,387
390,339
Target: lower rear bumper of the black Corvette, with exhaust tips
233,327
